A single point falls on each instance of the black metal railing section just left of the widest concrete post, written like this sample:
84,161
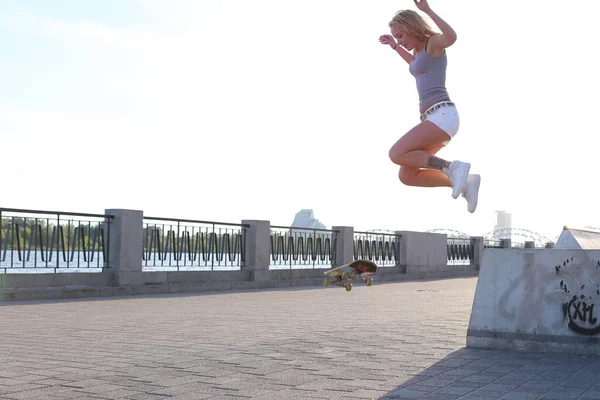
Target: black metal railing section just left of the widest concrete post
381,248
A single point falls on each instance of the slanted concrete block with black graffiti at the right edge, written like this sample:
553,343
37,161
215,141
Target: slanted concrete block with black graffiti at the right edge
537,300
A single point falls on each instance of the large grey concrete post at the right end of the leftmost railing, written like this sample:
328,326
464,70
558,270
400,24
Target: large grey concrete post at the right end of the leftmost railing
126,243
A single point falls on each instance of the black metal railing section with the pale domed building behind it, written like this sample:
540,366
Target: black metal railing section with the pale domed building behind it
292,247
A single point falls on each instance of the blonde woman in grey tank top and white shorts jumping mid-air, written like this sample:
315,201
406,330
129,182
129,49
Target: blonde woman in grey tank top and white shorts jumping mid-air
425,51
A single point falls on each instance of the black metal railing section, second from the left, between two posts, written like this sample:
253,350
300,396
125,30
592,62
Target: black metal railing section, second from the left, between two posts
182,244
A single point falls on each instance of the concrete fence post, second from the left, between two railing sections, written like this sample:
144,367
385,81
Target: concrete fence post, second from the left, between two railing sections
258,249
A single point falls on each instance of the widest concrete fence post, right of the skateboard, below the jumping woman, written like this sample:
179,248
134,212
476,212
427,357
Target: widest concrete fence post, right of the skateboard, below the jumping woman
423,251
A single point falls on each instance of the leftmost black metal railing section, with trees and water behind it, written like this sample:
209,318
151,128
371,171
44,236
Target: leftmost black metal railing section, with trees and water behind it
53,241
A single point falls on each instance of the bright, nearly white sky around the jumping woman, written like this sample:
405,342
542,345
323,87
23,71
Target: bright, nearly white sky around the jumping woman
231,110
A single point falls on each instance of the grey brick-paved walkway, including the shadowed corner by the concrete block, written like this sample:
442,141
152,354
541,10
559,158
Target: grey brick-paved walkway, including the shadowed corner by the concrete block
396,341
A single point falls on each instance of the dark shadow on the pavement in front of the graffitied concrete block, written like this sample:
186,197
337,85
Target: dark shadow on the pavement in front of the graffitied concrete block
493,374
